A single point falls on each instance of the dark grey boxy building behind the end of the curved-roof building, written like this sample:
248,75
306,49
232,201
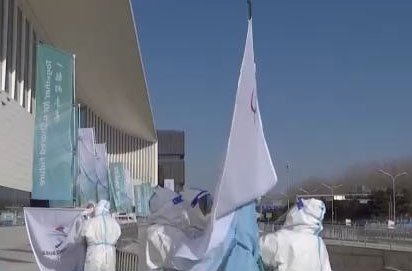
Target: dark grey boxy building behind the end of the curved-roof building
171,157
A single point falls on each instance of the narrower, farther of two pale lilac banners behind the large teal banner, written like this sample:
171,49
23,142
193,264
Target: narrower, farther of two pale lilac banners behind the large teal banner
102,172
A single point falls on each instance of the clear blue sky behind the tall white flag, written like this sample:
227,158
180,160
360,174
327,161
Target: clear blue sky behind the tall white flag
334,79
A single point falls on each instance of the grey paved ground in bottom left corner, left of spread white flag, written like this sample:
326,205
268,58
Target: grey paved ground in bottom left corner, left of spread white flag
15,250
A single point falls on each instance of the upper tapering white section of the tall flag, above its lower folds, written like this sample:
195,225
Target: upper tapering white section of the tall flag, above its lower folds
248,171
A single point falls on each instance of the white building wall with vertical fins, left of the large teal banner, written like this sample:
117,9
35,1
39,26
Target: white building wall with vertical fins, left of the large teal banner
17,59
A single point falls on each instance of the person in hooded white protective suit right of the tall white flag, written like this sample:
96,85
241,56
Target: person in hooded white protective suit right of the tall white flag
298,246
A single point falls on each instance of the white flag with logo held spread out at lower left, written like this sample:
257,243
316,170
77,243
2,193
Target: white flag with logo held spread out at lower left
55,238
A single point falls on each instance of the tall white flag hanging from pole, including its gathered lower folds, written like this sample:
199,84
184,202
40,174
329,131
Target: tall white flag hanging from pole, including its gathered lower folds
248,174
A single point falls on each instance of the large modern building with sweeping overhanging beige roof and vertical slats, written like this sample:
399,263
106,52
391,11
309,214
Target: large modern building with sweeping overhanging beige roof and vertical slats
110,84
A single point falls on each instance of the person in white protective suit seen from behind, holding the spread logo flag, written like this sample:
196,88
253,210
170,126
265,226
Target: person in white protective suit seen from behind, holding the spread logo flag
101,233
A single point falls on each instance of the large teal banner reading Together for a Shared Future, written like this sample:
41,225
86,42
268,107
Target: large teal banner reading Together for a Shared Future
54,129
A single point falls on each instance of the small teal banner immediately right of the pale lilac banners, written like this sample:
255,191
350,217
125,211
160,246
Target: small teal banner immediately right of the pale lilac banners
118,187
